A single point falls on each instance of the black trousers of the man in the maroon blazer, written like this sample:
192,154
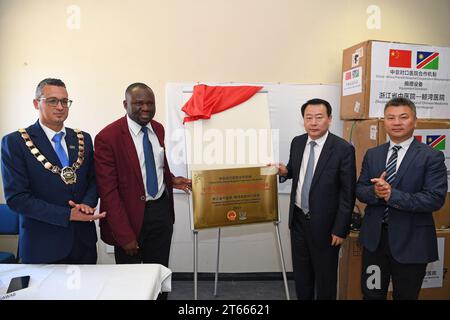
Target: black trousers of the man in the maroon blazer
155,237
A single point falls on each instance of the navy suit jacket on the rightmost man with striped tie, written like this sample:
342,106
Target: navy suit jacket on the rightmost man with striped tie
419,188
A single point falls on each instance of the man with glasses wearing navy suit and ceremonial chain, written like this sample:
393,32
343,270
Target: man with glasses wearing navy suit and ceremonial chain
48,178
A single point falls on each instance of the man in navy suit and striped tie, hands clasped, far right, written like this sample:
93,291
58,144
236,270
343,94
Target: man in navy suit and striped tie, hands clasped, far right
402,182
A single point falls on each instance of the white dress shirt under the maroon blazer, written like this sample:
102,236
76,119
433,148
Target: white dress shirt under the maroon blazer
158,152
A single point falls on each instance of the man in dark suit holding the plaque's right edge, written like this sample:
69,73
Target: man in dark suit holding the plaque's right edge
323,170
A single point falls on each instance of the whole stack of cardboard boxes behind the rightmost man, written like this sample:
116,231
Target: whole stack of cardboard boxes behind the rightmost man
373,73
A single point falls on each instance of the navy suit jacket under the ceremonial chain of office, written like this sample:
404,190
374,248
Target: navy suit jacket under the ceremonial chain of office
41,197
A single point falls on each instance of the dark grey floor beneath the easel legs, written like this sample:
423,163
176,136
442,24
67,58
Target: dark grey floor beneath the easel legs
232,290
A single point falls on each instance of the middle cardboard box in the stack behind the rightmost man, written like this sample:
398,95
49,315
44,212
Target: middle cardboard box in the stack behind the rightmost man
366,134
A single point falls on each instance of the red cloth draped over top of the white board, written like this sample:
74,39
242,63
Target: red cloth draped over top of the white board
207,100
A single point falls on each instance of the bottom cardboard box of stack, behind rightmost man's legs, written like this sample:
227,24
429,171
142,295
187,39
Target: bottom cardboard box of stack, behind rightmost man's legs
350,265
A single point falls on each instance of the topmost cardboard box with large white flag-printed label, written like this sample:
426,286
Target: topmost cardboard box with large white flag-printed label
373,72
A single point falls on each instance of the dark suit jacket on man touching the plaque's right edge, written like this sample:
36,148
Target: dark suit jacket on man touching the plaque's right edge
332,193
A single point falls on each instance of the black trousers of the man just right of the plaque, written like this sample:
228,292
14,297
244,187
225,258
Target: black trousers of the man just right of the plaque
315,269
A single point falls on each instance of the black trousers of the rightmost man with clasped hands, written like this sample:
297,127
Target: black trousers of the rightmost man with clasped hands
380,266
